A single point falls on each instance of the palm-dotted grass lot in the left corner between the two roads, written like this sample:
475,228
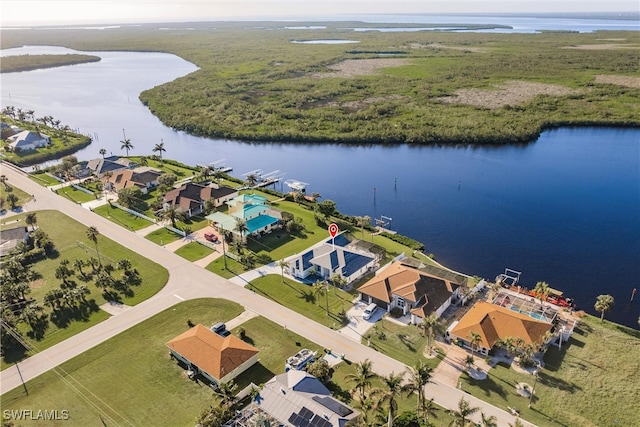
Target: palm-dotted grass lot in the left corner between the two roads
69,238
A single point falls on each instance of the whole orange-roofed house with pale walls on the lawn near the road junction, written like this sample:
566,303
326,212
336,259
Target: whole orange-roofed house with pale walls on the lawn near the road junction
217,359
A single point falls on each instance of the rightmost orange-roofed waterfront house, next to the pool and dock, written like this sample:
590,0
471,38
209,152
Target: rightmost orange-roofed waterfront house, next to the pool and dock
493,323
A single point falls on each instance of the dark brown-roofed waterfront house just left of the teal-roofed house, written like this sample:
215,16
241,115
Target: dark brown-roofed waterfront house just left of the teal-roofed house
190,197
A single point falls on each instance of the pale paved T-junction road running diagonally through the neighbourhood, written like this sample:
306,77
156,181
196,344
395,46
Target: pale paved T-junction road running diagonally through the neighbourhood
188,281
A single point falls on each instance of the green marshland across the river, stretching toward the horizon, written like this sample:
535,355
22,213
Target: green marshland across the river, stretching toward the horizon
254,84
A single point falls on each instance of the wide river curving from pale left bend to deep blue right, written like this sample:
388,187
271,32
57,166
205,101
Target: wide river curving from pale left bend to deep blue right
564,209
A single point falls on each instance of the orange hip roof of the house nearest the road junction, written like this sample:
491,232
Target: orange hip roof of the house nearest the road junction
210,352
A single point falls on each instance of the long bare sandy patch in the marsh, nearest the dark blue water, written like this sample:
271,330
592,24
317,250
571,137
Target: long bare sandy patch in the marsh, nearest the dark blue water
510,93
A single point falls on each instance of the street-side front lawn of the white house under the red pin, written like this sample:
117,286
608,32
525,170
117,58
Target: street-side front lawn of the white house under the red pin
299,298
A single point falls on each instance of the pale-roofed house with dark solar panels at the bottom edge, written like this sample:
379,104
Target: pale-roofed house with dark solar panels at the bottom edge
297,398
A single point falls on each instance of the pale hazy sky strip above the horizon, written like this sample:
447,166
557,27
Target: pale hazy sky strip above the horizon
65,12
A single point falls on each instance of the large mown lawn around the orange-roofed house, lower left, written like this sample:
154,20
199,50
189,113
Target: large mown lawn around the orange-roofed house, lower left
129,379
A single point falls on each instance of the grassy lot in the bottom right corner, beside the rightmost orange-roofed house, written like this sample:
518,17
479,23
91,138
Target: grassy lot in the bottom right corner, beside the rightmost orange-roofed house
591,381
